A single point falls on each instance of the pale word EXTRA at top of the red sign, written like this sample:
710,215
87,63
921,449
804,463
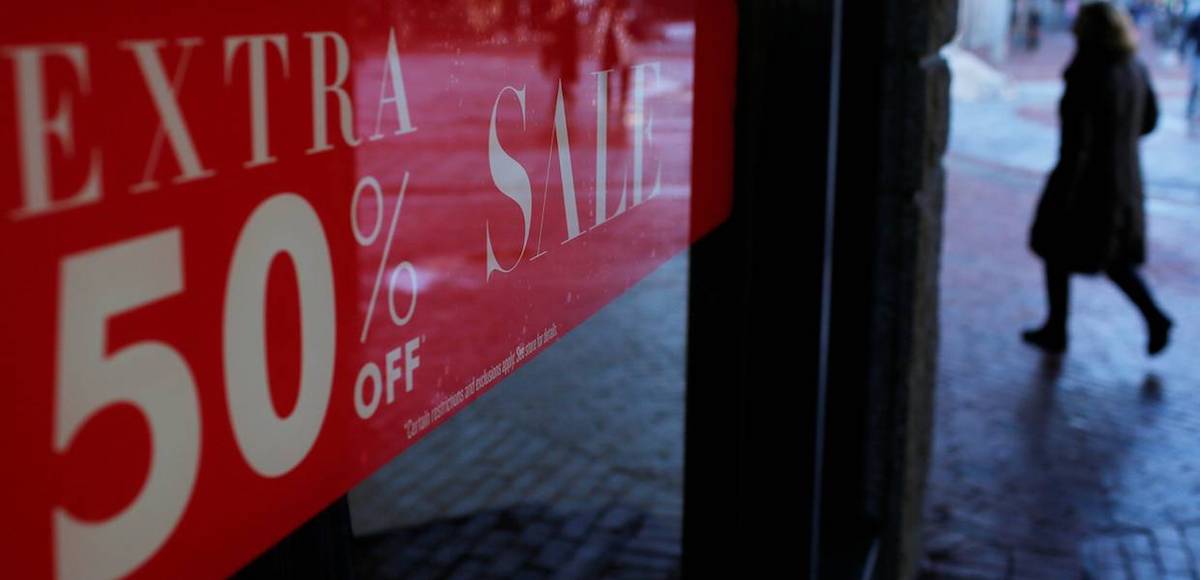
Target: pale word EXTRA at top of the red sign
47,117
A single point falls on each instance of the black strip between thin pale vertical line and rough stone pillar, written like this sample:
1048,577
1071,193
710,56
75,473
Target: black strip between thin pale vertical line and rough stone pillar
853,515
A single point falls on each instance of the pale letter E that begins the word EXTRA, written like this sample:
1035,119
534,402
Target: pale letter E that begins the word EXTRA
38,125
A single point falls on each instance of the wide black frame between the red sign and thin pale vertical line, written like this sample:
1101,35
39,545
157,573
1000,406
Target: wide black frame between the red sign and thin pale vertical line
758,309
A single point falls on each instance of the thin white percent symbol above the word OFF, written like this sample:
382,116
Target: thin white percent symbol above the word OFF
369,240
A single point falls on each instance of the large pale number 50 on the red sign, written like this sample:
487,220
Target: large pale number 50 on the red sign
154,378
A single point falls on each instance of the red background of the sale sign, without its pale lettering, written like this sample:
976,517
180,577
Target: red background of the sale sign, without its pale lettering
454,71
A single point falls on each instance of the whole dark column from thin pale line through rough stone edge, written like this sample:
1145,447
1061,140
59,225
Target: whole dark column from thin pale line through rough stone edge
884,348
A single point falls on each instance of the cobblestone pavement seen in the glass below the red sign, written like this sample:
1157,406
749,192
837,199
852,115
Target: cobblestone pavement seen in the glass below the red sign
571,468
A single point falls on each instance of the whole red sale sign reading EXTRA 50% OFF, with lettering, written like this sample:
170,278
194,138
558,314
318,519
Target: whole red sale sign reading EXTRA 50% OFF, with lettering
256,249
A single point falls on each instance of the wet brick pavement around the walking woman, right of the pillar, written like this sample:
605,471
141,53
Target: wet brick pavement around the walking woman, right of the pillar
1085,467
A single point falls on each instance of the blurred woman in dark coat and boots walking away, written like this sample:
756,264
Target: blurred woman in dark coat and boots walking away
1091,217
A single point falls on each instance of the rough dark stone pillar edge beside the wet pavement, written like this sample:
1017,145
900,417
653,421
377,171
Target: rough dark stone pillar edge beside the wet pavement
914,136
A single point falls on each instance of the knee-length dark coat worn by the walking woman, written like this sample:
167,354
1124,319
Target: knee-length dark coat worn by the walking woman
1091,217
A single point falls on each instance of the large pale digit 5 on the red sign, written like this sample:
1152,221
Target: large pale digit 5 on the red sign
152,376
